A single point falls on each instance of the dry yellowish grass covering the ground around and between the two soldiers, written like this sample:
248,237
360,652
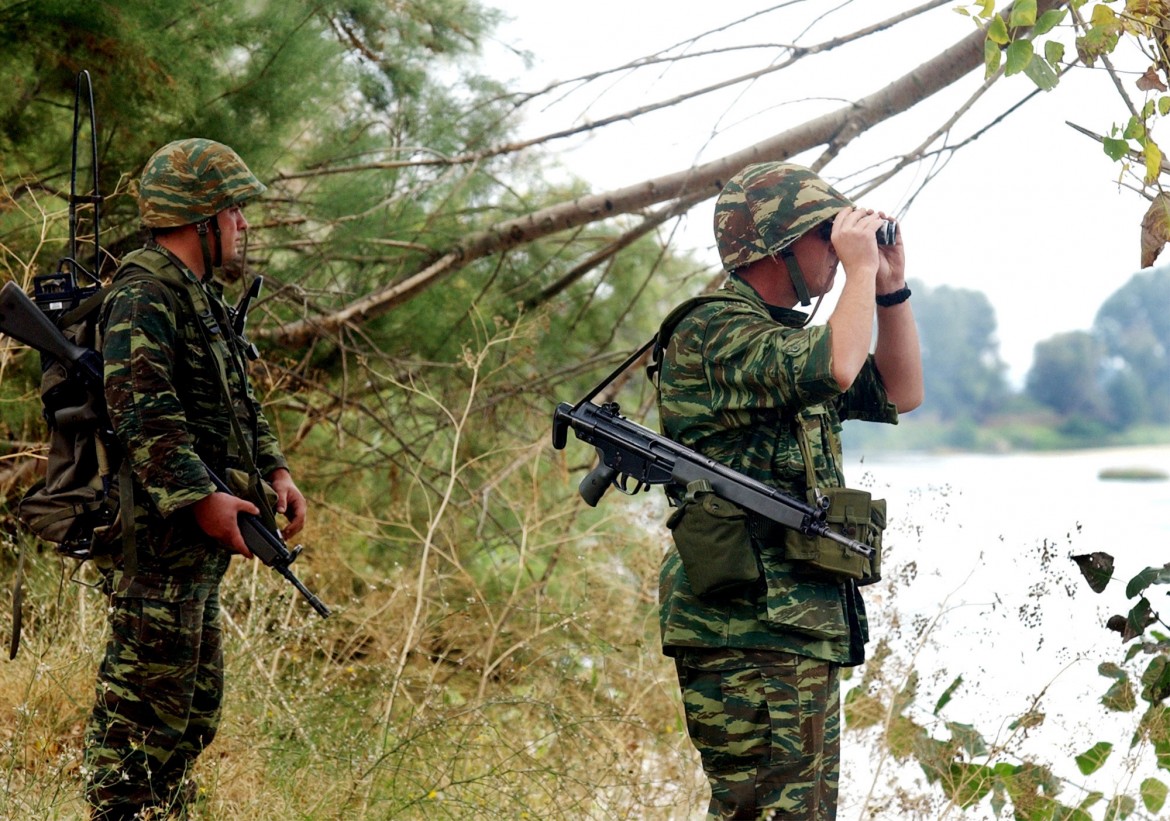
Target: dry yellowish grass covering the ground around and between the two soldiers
512,706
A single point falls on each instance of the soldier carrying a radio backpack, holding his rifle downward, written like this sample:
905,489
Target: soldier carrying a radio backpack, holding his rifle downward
161,684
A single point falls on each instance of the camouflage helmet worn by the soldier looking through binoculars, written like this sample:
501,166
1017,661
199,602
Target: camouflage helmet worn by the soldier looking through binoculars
767,208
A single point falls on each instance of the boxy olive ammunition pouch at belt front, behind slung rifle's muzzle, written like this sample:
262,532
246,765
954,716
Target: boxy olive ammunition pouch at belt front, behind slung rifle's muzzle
854,514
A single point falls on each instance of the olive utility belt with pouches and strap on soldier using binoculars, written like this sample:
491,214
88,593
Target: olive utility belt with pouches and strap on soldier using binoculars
721,544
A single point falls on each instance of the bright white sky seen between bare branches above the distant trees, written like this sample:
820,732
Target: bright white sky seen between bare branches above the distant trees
1030,215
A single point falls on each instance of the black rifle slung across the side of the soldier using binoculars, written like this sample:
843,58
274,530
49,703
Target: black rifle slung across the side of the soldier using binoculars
634,458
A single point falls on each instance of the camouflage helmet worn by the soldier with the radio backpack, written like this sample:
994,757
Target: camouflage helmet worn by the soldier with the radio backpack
191,181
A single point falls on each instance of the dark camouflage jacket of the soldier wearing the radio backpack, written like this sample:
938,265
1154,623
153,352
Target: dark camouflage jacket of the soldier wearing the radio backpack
164,398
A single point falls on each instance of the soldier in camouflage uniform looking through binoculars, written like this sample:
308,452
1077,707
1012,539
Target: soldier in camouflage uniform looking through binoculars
759,667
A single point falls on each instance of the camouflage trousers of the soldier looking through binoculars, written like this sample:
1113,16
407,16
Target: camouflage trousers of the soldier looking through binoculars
769,733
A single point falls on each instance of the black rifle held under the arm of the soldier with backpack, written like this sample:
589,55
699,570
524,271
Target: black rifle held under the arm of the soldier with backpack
22,320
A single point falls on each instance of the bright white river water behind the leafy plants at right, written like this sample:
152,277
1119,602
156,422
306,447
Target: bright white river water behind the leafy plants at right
979,584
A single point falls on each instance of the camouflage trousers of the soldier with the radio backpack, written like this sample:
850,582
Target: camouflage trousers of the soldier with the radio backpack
160,693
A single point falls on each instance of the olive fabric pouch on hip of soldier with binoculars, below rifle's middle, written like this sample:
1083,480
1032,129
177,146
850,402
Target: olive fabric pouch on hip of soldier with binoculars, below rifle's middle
714,542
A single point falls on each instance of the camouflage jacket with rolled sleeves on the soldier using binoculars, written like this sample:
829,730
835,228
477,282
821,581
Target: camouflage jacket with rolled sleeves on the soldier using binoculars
738,380
